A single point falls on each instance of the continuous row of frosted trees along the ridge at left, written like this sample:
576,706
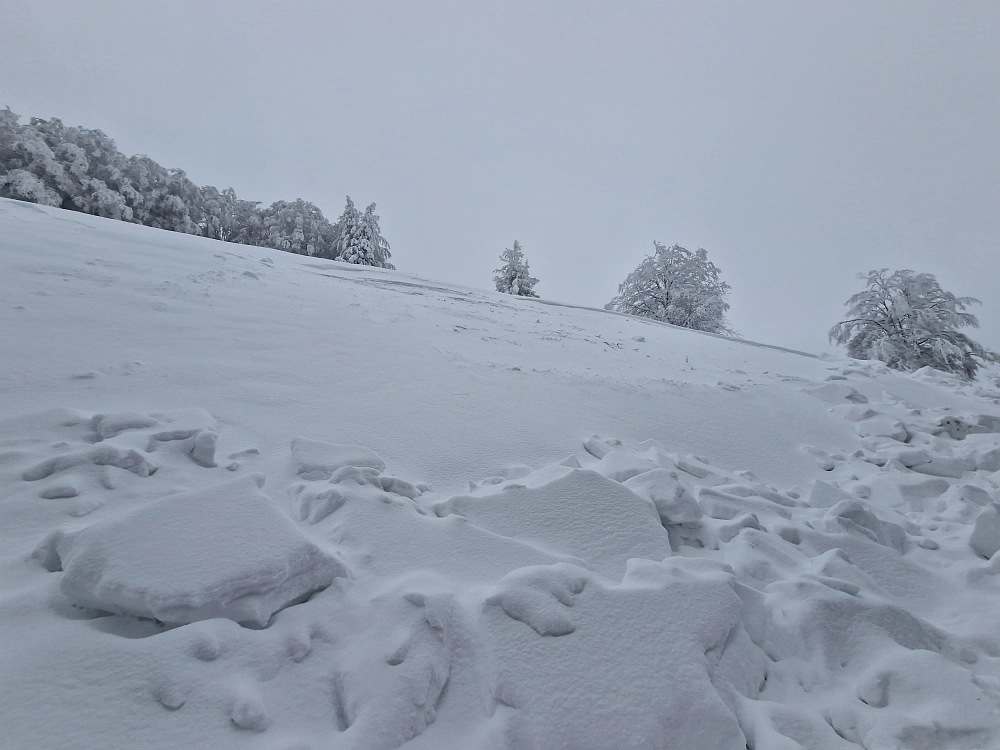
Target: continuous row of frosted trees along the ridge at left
79,169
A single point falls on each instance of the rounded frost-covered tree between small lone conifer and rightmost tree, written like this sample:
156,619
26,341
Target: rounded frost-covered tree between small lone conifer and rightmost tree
677,286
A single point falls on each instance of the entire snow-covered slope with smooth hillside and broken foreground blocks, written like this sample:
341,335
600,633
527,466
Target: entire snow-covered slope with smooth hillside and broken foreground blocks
256,500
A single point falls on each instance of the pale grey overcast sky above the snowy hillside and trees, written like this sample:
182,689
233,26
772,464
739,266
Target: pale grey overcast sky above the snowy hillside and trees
798,142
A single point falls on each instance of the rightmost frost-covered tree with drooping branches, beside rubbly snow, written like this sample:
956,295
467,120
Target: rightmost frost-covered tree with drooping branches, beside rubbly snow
908,321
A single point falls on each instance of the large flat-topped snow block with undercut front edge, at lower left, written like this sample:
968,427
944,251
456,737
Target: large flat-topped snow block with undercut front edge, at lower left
224,551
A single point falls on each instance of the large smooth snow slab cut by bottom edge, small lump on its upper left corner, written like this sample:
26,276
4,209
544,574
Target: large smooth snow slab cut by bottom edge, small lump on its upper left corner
678,622
